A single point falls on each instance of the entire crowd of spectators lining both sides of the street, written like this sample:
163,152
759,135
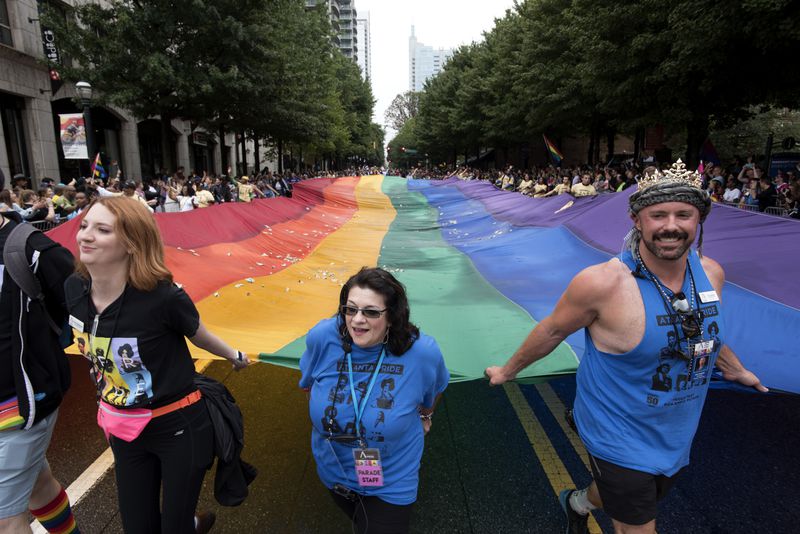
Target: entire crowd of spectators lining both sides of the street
743,185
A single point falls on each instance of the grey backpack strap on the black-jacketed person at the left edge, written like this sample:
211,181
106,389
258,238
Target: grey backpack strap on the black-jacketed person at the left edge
18,268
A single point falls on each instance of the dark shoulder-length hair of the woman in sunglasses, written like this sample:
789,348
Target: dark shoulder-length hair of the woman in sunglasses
403,332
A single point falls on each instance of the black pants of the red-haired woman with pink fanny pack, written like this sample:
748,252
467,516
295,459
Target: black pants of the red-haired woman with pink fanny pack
173,452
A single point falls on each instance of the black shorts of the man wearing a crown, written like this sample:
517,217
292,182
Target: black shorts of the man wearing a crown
628,495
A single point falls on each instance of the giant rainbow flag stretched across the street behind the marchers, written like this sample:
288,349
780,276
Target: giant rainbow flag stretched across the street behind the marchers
481,266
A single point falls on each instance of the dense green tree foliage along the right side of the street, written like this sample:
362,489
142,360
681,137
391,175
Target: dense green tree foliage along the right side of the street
574,66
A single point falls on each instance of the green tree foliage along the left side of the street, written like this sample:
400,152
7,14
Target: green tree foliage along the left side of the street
266,67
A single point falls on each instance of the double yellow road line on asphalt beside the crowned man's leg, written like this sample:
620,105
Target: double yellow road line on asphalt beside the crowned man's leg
553,467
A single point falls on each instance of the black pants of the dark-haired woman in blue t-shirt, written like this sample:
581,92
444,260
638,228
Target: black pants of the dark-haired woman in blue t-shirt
372,515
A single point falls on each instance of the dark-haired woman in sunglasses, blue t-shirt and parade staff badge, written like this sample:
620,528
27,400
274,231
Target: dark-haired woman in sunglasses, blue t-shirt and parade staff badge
374,380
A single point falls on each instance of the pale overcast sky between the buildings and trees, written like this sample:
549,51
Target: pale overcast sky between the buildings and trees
437,23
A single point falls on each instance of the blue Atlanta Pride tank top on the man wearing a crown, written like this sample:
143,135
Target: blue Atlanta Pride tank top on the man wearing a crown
641,409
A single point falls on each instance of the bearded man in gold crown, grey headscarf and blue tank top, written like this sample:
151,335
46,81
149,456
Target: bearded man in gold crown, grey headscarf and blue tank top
650,306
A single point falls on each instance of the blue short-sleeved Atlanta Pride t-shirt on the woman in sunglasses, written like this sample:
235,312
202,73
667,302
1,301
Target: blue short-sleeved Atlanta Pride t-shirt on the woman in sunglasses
390,422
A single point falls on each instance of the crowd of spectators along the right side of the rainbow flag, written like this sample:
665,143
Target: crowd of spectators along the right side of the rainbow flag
742,185
